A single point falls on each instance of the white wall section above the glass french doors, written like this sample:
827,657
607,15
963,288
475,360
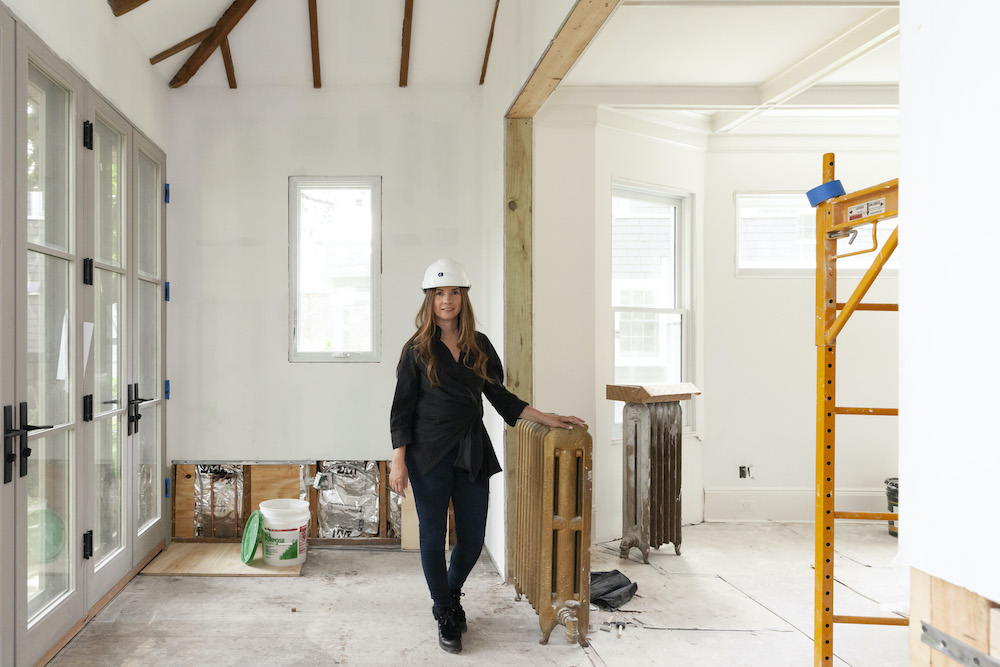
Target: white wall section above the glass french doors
85,34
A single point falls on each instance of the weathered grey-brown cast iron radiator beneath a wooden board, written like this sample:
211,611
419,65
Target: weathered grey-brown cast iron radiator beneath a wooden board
651,506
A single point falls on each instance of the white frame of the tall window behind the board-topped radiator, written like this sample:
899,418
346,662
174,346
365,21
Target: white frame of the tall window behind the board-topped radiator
683,281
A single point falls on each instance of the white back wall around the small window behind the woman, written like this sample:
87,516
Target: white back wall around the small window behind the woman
235,396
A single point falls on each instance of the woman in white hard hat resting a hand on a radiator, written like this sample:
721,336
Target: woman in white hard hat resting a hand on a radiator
439,442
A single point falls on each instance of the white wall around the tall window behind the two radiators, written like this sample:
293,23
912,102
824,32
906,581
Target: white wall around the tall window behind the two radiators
578,152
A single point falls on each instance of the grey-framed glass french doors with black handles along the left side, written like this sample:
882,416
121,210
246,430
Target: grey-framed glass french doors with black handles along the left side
81,348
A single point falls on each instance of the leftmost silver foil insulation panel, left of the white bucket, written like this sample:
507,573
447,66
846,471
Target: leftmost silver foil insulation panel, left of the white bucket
218,501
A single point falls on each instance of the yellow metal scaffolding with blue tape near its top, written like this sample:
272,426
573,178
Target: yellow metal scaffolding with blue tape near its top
838,216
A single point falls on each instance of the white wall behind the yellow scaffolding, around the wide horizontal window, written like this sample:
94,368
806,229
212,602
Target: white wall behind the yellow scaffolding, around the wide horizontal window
759,345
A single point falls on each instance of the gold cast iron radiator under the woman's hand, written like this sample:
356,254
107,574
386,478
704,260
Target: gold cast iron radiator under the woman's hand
551,553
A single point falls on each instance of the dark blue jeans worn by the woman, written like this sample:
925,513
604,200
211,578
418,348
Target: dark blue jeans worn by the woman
431,493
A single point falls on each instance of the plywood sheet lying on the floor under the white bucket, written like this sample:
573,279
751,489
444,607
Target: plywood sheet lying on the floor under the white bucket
215,559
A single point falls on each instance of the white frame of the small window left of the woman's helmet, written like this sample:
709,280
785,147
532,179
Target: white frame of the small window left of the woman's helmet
374,184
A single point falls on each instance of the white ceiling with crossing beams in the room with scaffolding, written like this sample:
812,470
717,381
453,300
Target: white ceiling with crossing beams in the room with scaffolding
745,65
